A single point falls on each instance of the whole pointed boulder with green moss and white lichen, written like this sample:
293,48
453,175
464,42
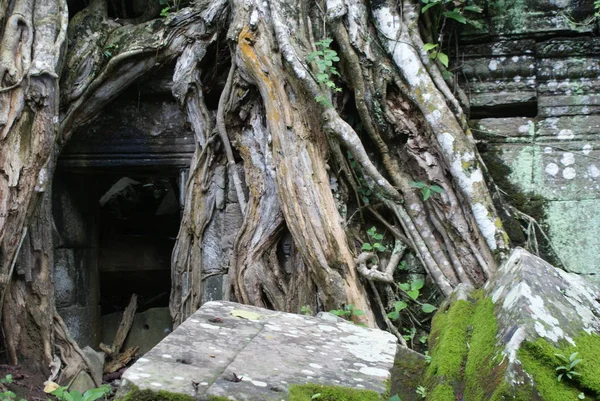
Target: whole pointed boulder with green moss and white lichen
533,333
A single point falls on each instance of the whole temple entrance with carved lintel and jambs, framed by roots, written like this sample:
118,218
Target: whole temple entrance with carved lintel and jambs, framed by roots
117,199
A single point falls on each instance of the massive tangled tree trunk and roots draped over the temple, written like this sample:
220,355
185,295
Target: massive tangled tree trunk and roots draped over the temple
299,155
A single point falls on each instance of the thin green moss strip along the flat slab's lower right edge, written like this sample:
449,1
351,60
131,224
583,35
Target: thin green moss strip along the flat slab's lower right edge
304,392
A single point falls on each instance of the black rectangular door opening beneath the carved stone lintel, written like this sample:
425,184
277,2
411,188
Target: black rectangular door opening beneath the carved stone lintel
139,218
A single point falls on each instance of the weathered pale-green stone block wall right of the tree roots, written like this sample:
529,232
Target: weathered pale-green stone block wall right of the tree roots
532,73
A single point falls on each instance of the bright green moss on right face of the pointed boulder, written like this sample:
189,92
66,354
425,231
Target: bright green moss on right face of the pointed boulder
540,361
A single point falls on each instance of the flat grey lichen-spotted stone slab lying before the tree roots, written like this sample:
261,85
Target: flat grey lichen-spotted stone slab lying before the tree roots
207,355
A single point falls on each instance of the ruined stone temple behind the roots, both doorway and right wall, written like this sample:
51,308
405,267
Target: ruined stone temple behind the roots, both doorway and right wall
532,74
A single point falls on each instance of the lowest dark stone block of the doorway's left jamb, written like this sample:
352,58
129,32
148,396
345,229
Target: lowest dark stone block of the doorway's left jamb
83,324
